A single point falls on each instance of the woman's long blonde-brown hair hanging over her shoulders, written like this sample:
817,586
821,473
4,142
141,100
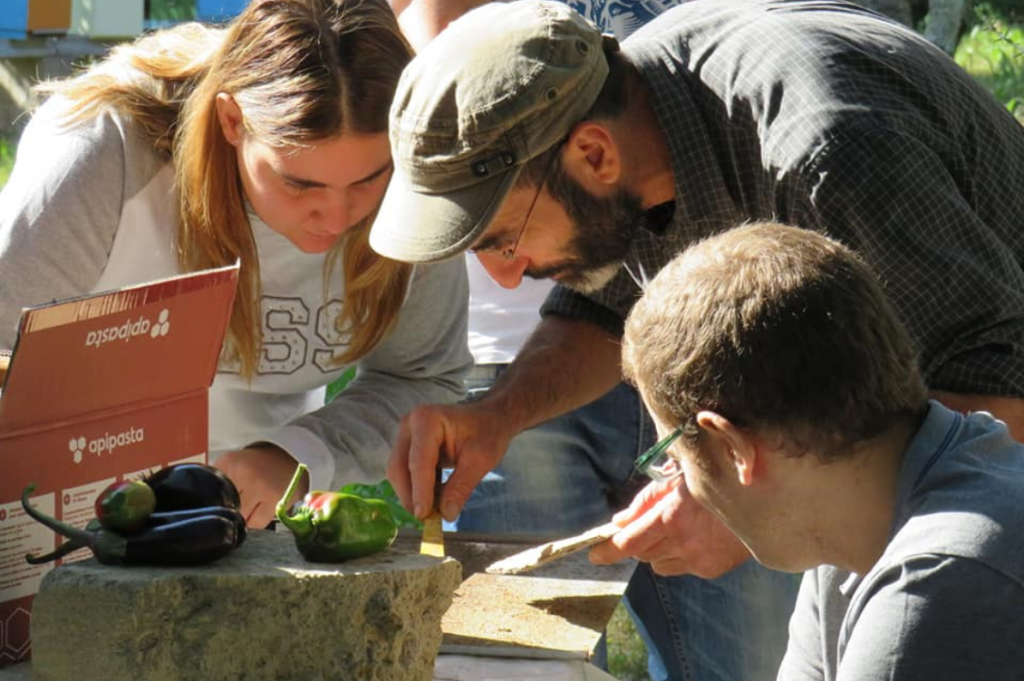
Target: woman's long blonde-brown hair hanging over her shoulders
303,72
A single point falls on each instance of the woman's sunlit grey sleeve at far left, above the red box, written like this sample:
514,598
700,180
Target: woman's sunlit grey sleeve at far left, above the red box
60,212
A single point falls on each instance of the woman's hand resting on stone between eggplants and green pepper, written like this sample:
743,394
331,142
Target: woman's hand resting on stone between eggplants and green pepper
262,475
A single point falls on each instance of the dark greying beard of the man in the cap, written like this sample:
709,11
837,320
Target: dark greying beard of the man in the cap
603,234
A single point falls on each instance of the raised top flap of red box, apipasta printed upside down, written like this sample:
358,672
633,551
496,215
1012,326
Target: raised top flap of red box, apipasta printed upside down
132,347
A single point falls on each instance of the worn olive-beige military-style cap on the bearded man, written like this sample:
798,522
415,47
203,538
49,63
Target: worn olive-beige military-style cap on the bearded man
498,88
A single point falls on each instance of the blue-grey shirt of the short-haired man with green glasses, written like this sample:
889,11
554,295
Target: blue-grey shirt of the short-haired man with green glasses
947,599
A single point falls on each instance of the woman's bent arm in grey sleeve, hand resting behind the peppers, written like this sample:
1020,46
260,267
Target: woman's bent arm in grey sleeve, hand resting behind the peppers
423,361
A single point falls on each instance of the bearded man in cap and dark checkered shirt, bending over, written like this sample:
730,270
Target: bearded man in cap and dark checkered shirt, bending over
815,113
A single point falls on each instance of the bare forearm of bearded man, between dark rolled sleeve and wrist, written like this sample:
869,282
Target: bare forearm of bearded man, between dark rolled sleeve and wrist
566,364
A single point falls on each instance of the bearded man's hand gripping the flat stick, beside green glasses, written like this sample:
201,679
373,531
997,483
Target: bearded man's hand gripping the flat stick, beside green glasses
668,529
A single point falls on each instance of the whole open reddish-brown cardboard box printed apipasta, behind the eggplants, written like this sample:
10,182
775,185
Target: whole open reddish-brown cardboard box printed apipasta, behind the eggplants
100,389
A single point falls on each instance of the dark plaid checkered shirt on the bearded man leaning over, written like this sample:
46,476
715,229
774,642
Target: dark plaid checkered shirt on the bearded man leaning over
828,117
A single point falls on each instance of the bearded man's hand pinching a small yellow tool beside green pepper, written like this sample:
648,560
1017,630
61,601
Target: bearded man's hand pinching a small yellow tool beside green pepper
470,439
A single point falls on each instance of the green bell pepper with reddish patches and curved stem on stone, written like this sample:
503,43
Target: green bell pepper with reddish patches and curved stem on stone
332,527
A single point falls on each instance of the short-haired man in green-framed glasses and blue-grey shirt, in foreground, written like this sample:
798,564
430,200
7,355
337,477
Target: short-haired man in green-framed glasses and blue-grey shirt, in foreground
824,466
